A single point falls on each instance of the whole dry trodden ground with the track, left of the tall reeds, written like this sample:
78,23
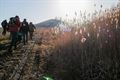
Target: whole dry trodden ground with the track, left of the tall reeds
21,64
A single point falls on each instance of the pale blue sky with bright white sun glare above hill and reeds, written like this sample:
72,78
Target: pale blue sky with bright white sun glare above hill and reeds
40,10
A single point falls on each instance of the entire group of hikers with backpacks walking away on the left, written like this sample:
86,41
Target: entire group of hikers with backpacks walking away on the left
18,31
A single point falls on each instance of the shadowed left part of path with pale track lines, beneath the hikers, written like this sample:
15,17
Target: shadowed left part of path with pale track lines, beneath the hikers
11,65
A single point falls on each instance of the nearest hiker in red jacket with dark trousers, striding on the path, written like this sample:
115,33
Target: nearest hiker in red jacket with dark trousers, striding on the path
13,28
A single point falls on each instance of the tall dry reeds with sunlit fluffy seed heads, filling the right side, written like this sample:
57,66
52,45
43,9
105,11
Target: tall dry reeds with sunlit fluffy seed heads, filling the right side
90,52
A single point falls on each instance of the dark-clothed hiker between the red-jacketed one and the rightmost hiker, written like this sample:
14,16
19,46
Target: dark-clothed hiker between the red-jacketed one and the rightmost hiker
24,30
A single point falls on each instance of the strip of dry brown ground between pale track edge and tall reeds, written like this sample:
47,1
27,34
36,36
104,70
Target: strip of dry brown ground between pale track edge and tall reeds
33,71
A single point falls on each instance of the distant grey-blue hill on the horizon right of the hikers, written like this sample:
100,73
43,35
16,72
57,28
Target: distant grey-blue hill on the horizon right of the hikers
49,23
